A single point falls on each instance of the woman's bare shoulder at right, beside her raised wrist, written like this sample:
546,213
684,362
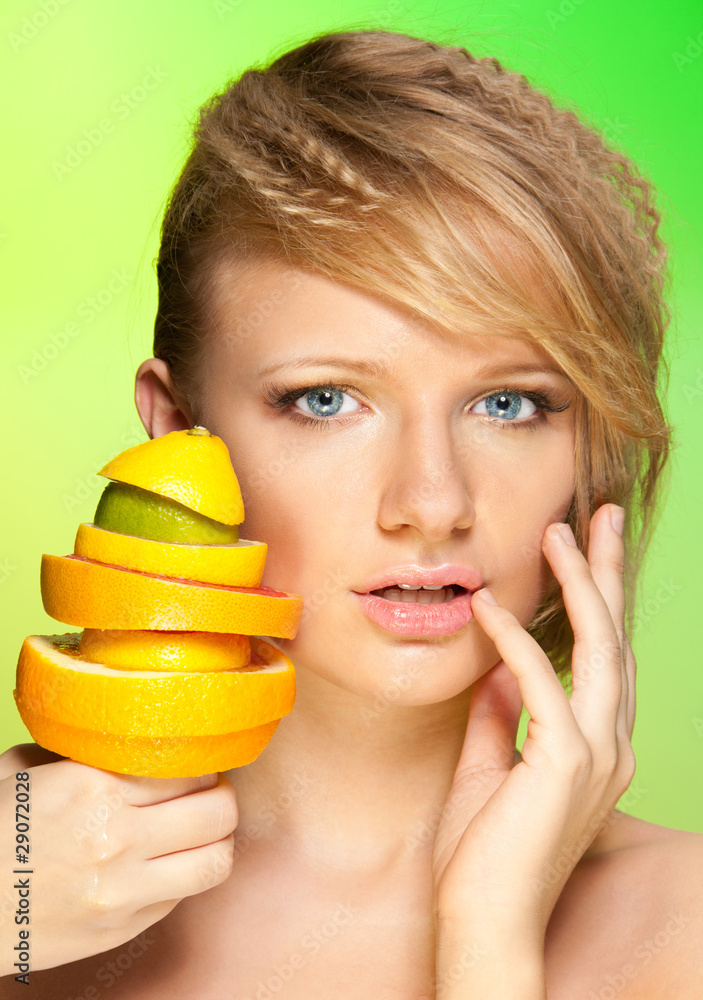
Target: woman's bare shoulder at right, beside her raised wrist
631,917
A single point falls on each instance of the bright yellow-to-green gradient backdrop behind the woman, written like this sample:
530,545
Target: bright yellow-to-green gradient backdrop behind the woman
97,100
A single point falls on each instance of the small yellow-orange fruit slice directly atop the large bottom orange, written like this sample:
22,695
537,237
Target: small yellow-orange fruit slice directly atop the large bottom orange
145,650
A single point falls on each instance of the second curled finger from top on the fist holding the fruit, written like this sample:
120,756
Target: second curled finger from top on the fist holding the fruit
187,822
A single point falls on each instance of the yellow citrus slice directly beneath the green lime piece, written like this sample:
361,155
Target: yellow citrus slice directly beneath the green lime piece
240,564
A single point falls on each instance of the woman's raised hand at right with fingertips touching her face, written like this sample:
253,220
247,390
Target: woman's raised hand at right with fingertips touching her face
512,833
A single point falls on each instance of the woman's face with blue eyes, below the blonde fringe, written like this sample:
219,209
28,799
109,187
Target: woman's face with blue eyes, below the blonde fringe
394,446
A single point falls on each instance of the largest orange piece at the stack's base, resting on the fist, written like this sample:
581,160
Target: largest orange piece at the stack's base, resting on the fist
144,722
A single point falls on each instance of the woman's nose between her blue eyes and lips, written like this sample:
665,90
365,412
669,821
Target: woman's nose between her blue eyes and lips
425,485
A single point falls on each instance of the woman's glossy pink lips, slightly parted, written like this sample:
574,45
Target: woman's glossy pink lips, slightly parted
406,618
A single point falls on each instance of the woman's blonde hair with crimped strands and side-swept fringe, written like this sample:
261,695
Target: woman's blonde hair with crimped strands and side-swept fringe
450,185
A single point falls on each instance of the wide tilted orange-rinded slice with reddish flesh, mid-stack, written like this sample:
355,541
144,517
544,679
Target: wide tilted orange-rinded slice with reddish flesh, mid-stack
89,594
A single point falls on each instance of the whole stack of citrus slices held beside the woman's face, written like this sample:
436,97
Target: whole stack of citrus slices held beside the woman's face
168,677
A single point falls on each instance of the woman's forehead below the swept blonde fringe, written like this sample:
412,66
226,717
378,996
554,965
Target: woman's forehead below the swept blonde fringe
269,309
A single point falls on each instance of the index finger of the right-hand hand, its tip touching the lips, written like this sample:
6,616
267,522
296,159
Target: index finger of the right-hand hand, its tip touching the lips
540,689
